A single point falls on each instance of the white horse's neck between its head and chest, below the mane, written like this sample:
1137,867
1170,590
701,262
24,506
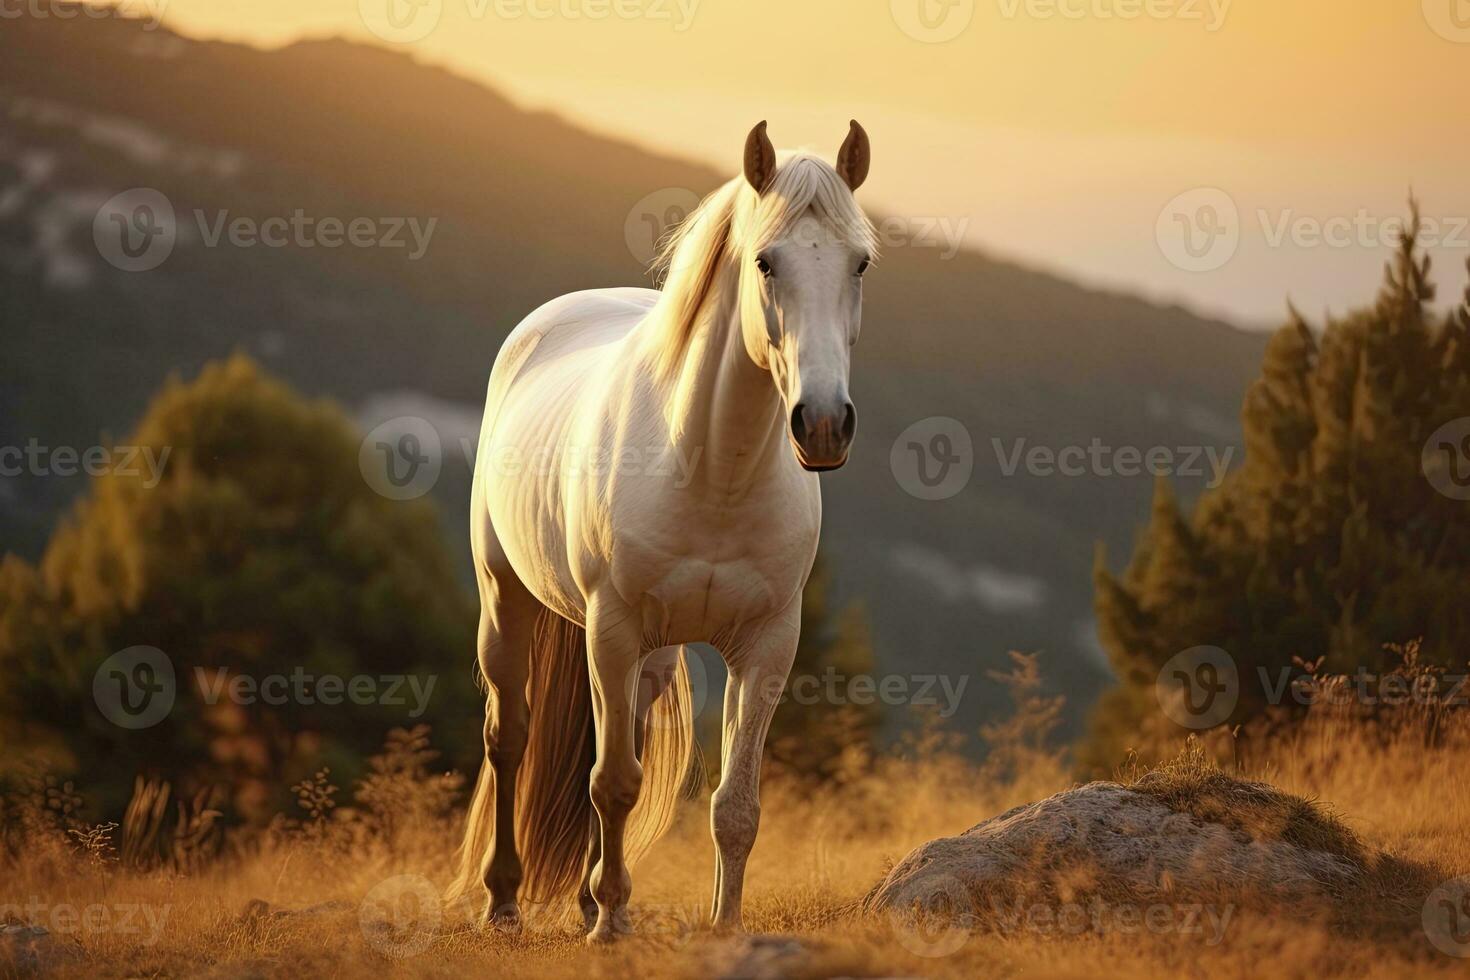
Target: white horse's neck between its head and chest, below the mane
725,411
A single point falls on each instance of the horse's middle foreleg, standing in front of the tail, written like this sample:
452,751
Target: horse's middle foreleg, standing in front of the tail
614,638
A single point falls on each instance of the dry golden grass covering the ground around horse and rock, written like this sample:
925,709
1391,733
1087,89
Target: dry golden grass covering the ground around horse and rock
324,897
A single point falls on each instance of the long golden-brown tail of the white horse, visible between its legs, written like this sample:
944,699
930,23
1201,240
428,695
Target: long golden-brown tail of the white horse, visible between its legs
553,806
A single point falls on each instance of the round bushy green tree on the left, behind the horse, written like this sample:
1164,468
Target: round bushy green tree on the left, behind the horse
261,552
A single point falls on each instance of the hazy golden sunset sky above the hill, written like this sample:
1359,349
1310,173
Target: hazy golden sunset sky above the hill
1055,131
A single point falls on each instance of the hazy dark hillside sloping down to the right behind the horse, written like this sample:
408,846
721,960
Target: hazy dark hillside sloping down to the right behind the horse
528,208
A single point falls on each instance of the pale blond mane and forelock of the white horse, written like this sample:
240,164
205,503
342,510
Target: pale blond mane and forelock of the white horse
733,226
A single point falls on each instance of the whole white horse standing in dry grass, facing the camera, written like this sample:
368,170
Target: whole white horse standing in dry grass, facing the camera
648,480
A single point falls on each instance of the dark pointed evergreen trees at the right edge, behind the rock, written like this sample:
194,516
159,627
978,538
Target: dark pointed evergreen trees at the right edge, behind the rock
1333,538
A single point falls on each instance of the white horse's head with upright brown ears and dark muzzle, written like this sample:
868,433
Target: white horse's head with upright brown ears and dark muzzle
802,287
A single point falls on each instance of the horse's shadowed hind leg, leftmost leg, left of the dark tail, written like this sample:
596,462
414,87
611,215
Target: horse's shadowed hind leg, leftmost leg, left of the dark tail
506,627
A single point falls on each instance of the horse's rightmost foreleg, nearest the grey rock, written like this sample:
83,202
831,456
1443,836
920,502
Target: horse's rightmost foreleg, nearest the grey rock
758,677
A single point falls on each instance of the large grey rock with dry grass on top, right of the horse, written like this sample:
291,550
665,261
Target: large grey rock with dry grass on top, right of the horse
1186,846
